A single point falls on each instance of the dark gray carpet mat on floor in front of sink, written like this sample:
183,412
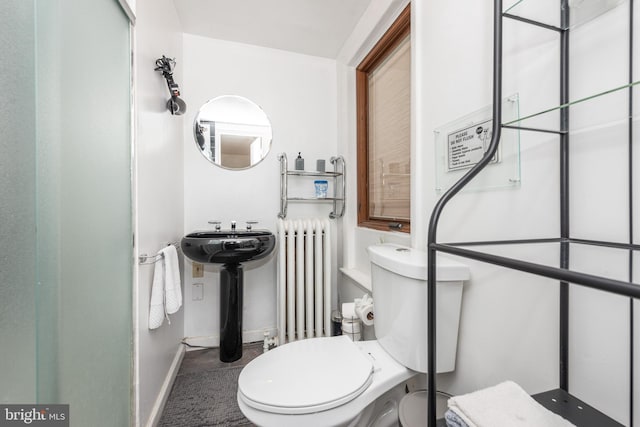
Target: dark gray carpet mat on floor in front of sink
206,398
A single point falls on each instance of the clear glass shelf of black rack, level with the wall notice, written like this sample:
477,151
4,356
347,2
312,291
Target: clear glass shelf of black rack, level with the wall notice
603,109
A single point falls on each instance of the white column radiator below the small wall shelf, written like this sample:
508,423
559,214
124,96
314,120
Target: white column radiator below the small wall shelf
304,279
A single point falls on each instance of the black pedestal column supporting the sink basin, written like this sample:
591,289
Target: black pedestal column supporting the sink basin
231,287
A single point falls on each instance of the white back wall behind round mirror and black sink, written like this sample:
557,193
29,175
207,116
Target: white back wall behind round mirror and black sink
298,94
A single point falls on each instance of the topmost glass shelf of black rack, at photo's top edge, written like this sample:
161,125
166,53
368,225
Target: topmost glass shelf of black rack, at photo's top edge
548,11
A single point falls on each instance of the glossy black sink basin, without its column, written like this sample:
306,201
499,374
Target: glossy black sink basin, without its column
228,246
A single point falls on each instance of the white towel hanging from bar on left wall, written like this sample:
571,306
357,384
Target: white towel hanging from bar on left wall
166,291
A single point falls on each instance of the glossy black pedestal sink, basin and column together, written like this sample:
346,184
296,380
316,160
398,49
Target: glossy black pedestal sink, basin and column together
229,248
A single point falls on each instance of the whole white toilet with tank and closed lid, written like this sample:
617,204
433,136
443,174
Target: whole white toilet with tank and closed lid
333,381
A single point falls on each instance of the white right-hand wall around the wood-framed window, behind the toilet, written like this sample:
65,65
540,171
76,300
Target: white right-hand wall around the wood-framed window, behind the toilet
509,323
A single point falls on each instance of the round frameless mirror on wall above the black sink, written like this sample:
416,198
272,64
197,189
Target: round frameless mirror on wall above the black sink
232,132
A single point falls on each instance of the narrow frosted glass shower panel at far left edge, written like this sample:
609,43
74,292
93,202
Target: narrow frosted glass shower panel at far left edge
17,206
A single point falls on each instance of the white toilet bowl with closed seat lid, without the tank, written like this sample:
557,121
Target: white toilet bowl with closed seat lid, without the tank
318,382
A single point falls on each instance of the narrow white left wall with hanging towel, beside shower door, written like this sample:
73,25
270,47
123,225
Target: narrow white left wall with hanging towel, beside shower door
159,194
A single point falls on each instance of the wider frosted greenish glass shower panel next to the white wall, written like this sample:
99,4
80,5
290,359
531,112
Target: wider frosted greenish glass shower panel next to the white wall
83,209
